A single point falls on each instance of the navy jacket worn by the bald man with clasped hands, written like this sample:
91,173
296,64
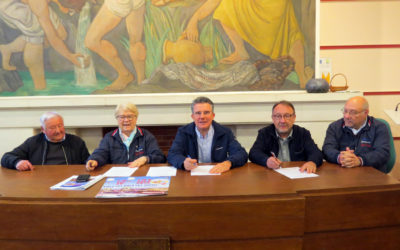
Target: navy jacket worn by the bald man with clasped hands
372,143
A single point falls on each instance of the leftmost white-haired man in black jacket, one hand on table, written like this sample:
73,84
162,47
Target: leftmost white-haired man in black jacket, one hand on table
51,147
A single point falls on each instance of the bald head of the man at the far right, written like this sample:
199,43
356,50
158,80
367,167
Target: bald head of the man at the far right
355,112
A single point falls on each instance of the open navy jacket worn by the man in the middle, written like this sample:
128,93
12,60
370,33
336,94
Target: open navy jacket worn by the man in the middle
224,146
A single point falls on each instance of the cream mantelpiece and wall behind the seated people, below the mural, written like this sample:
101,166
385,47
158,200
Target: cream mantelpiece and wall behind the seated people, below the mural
245,112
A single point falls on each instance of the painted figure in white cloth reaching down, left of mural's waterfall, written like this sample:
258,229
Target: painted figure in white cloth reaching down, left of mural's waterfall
38,24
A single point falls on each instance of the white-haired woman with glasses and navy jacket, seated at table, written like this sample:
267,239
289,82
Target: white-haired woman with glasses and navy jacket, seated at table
128,144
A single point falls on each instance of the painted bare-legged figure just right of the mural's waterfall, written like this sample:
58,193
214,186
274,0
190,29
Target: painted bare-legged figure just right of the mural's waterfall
108,17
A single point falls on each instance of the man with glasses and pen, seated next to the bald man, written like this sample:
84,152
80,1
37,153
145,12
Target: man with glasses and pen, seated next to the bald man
284,141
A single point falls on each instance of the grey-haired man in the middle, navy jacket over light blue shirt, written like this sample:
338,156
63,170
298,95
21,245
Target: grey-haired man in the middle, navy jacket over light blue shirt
205,141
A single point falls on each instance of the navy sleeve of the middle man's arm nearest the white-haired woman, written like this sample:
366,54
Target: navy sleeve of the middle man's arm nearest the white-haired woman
176,154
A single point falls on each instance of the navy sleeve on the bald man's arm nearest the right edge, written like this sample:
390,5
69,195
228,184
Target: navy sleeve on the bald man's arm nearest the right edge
380,152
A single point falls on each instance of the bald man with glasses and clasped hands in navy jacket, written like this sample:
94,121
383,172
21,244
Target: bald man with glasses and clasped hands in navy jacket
357,139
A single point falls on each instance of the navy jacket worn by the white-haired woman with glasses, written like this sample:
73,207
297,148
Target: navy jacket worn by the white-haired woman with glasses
113,151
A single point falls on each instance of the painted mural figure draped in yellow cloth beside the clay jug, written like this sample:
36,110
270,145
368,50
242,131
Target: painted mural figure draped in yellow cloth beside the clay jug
270,26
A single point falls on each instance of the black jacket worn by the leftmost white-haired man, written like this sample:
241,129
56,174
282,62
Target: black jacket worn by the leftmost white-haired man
35,148
